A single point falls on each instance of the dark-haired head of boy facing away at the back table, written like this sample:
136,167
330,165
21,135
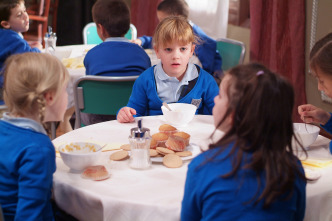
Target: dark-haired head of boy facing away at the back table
113,16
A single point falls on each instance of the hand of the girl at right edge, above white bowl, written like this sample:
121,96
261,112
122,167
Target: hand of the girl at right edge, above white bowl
311,114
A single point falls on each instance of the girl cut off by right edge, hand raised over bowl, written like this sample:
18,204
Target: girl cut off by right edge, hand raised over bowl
321,68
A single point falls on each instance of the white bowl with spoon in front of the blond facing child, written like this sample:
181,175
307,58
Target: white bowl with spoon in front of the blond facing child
180,115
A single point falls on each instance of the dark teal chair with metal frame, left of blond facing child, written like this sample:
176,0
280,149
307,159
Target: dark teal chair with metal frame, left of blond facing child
101,95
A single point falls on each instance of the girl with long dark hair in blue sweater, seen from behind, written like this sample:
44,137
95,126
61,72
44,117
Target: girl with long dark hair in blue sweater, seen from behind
251,173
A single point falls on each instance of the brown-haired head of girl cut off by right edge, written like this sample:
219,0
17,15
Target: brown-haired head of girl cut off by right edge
321,63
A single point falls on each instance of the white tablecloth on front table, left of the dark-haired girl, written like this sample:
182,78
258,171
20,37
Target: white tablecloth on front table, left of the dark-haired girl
153,194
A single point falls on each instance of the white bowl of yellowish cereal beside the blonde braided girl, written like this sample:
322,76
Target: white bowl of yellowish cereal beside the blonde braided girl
79,155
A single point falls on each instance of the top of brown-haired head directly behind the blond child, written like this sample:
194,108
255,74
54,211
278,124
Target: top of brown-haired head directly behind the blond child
172,7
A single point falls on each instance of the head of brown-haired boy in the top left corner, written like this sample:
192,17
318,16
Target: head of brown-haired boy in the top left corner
13,15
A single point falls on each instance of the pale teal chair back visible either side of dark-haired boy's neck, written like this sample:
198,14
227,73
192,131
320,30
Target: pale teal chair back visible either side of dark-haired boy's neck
90,35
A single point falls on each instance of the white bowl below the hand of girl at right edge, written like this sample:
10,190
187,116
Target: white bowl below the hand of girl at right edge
305,133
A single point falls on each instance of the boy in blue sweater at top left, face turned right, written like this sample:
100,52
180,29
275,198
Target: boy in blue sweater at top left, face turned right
13,21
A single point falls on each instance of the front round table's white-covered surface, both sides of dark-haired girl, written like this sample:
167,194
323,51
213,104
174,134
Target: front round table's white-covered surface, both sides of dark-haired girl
156,193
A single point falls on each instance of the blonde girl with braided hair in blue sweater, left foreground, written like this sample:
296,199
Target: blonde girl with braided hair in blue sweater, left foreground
27,155
